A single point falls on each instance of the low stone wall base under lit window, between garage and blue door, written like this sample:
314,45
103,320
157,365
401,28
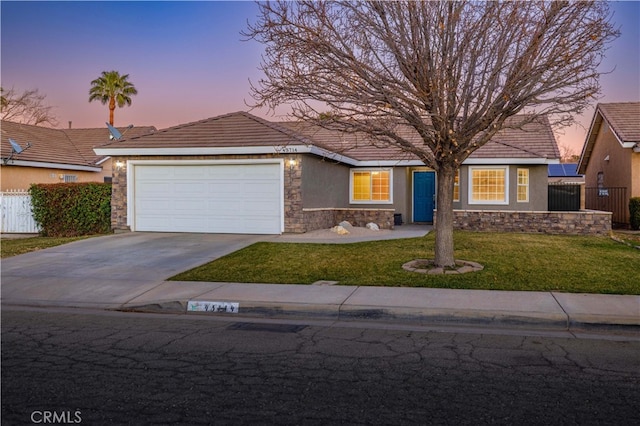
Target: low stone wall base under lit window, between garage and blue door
326,218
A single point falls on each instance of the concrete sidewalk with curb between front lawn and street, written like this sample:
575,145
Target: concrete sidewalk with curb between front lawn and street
544,310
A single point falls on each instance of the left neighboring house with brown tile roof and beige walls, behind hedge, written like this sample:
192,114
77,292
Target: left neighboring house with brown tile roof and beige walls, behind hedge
55,155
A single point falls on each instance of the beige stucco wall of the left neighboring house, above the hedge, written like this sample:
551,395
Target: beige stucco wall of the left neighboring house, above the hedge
20,177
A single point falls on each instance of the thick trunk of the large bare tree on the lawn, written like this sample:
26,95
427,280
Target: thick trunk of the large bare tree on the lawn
444,217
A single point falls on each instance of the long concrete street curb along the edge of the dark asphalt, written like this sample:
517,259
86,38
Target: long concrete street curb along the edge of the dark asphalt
399,315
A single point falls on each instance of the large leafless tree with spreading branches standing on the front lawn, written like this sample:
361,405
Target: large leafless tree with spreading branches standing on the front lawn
454,72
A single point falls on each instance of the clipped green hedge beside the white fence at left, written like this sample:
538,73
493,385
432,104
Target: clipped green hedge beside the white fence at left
72,209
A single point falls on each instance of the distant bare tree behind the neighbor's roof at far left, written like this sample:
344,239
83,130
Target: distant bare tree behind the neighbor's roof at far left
28,107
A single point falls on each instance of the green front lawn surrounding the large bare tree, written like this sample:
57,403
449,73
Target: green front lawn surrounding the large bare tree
512,262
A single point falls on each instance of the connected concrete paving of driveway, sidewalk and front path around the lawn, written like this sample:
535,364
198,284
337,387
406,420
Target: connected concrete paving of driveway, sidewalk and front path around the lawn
129,272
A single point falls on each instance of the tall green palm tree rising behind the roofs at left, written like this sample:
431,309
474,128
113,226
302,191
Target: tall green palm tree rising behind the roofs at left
113,88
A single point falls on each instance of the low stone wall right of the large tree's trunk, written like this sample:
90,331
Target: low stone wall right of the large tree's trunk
584,222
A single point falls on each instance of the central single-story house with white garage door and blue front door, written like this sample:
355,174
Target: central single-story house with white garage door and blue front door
238,173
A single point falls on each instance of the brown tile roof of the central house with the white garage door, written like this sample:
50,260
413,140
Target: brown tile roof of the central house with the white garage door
241,129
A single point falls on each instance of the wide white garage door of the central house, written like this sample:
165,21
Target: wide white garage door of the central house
221,198
